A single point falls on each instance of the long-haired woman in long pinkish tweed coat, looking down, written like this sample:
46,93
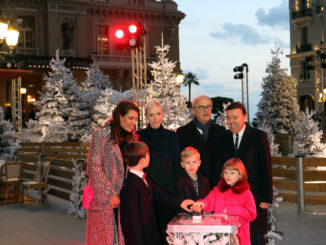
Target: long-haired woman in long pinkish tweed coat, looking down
106,170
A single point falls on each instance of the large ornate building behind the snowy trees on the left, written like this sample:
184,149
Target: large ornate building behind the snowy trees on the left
83,32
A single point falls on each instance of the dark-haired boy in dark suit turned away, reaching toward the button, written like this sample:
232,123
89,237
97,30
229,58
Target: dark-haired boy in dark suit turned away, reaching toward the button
137,197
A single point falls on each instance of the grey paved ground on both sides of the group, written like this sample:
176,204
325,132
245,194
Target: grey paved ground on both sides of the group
53,226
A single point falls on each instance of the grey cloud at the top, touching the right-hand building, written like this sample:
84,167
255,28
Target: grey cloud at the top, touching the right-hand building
274,17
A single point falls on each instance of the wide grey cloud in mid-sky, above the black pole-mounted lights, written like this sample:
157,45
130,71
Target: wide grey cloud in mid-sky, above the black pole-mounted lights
241,32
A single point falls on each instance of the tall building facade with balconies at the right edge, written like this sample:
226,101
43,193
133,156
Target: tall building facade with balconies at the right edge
308,50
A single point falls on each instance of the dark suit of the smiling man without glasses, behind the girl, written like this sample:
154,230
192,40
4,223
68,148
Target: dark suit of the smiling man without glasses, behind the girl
254,151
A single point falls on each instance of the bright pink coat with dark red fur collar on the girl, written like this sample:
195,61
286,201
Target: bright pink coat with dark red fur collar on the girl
235,200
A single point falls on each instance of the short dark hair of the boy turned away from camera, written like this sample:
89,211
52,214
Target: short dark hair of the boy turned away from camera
134,151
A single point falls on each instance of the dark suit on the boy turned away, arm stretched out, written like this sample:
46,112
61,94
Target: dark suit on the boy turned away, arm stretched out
138,216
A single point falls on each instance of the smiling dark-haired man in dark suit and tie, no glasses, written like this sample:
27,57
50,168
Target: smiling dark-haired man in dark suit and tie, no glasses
252,147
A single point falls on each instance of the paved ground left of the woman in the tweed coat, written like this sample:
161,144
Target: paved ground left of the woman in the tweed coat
41,225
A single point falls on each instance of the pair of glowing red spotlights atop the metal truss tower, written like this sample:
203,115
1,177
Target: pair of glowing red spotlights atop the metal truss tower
128,35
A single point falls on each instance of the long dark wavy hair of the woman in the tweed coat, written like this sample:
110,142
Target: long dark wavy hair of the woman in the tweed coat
117,134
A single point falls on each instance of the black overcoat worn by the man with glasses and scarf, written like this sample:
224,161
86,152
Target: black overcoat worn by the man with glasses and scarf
189,136
